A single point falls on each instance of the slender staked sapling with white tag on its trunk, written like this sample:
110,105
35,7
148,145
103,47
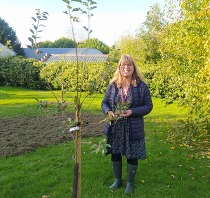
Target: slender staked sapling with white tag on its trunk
80,76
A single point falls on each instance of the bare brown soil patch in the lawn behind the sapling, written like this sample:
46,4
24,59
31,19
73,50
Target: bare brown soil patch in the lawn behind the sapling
25,134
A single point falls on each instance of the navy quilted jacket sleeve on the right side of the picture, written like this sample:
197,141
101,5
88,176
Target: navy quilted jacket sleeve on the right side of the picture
146,106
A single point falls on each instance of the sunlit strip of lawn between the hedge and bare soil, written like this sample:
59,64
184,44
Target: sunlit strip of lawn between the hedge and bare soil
17,102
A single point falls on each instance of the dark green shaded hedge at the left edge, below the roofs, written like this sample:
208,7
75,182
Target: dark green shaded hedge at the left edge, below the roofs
21,72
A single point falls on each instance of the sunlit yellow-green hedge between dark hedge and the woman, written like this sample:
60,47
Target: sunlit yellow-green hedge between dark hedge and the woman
87,77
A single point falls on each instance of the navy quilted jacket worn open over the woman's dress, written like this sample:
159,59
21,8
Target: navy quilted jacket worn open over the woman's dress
140,106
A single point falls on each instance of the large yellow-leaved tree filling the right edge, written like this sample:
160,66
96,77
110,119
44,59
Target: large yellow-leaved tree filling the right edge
184,74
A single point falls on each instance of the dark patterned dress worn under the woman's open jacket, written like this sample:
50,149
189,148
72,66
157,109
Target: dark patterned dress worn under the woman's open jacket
119,136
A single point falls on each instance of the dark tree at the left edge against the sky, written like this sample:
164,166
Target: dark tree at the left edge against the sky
8,37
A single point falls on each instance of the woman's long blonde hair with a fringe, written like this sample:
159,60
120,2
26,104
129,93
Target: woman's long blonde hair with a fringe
118,78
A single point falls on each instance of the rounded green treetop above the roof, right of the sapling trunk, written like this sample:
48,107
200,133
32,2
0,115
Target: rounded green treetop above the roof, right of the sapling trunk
95,43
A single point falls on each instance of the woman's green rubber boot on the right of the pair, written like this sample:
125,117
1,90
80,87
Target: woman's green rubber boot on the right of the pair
131,173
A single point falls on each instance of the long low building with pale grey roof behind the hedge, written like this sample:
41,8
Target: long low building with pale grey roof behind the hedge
66,54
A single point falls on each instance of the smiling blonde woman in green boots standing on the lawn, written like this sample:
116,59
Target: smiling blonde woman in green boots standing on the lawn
127,99
